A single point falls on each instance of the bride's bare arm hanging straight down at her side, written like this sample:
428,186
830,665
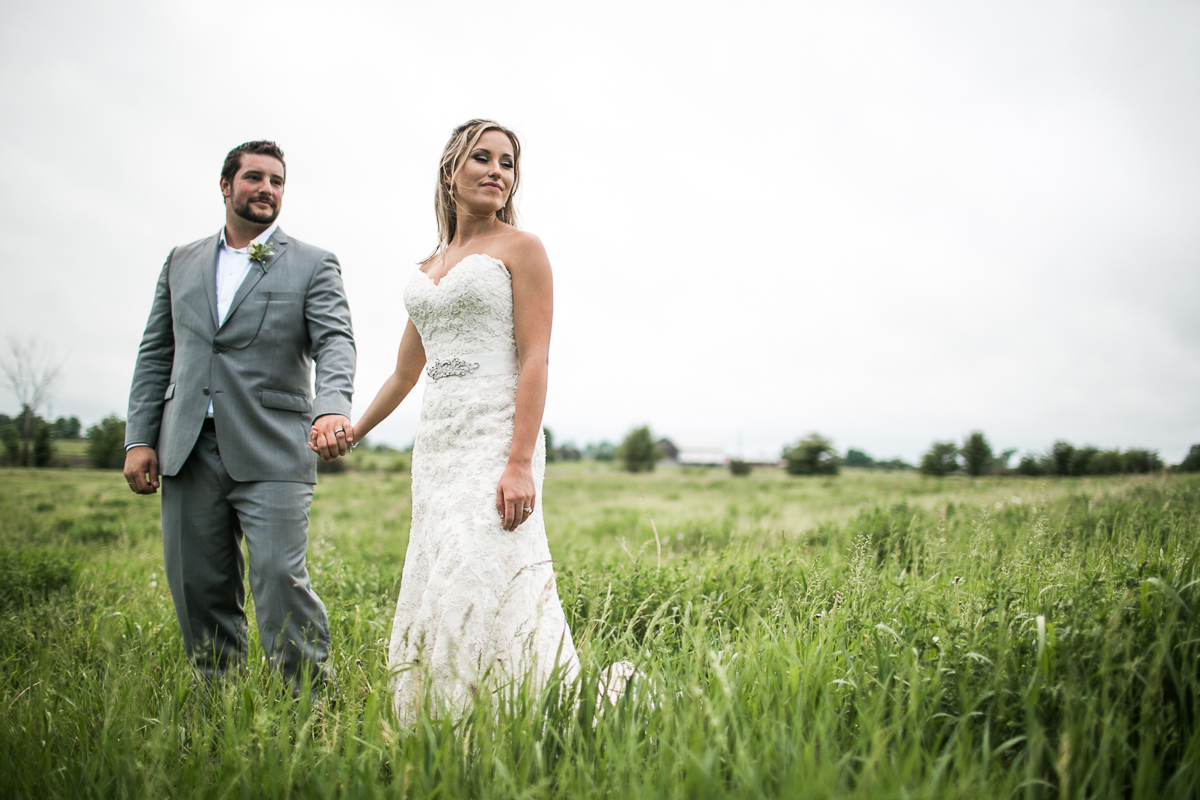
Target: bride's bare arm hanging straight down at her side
533,310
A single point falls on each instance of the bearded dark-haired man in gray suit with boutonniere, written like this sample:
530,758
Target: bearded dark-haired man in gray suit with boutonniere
221,408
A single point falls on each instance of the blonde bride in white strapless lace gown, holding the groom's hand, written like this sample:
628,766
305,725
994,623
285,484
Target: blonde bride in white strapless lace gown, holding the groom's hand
478,601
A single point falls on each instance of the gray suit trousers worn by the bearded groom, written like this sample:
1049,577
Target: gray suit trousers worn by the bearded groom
206,514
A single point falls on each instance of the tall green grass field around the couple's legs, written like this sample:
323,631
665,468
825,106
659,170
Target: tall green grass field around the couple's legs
872,635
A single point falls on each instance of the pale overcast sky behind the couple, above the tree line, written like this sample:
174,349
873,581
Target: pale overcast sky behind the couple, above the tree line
886,222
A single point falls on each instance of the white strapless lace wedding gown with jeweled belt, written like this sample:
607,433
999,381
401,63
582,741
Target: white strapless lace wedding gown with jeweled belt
475,600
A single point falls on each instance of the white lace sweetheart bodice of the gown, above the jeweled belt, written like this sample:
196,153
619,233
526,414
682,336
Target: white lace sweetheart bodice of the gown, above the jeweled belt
470,311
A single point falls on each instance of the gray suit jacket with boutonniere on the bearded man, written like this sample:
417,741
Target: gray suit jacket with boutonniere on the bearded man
256,368
